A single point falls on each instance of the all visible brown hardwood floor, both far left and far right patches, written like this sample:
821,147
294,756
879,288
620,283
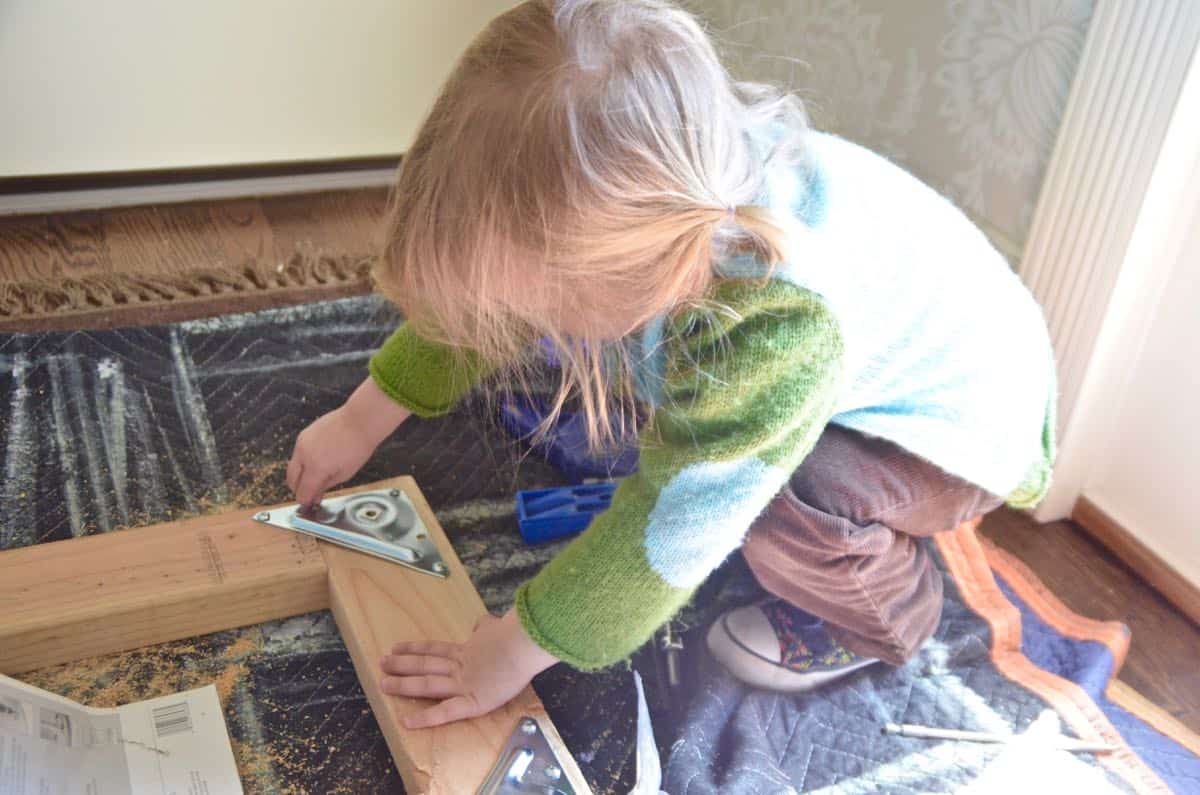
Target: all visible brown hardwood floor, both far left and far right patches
1163,660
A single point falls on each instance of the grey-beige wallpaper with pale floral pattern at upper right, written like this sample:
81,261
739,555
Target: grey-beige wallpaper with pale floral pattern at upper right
967,94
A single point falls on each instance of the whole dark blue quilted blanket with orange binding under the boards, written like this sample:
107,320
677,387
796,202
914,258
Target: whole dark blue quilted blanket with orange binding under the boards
107,429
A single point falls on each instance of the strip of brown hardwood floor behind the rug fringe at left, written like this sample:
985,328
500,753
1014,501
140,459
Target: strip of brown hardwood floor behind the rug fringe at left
181,237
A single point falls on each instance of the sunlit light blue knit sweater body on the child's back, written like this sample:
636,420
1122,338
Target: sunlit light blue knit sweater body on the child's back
946,351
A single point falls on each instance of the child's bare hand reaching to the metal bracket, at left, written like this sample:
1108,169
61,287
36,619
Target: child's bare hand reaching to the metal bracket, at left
335,447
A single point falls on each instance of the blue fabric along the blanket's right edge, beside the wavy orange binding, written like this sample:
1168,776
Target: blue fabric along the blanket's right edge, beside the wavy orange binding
1090,665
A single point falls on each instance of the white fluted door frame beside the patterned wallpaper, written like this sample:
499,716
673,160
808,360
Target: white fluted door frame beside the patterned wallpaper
1119,194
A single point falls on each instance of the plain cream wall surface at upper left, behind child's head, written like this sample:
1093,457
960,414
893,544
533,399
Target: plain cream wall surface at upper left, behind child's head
135,85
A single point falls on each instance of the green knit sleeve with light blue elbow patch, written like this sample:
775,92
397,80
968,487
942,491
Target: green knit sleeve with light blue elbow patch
746,396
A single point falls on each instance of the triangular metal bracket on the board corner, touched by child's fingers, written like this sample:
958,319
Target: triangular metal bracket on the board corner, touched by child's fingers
383,524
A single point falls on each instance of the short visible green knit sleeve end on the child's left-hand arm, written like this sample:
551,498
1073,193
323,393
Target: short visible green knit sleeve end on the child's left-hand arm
424,378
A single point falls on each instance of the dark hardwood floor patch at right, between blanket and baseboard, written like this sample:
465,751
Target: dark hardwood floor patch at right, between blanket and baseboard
1163,657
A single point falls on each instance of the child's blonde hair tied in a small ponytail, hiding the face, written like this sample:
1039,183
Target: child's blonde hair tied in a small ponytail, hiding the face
585,168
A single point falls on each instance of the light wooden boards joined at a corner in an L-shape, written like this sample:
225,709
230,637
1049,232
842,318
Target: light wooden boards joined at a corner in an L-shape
118,591
